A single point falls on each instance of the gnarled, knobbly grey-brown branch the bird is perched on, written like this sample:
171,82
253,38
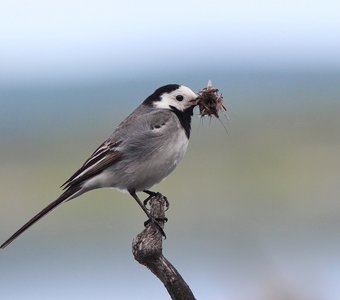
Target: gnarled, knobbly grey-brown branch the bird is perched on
147,250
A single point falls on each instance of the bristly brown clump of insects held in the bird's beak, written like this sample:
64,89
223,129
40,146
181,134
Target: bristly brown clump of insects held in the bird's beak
210,102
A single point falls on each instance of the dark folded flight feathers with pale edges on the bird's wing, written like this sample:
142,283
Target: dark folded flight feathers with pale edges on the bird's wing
106,154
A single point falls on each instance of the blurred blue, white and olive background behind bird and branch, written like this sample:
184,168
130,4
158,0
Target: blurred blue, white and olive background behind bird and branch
255,210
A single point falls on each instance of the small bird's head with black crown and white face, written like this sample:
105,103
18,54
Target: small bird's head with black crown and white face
172,96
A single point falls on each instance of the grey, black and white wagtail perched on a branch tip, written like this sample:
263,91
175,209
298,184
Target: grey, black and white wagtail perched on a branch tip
143,150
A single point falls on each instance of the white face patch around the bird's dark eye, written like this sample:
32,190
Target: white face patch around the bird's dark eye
181,98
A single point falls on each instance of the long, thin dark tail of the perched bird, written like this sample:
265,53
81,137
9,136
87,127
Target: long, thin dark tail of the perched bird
67,195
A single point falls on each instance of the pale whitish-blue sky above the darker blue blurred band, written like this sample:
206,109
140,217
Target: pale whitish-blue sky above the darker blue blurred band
45,39
